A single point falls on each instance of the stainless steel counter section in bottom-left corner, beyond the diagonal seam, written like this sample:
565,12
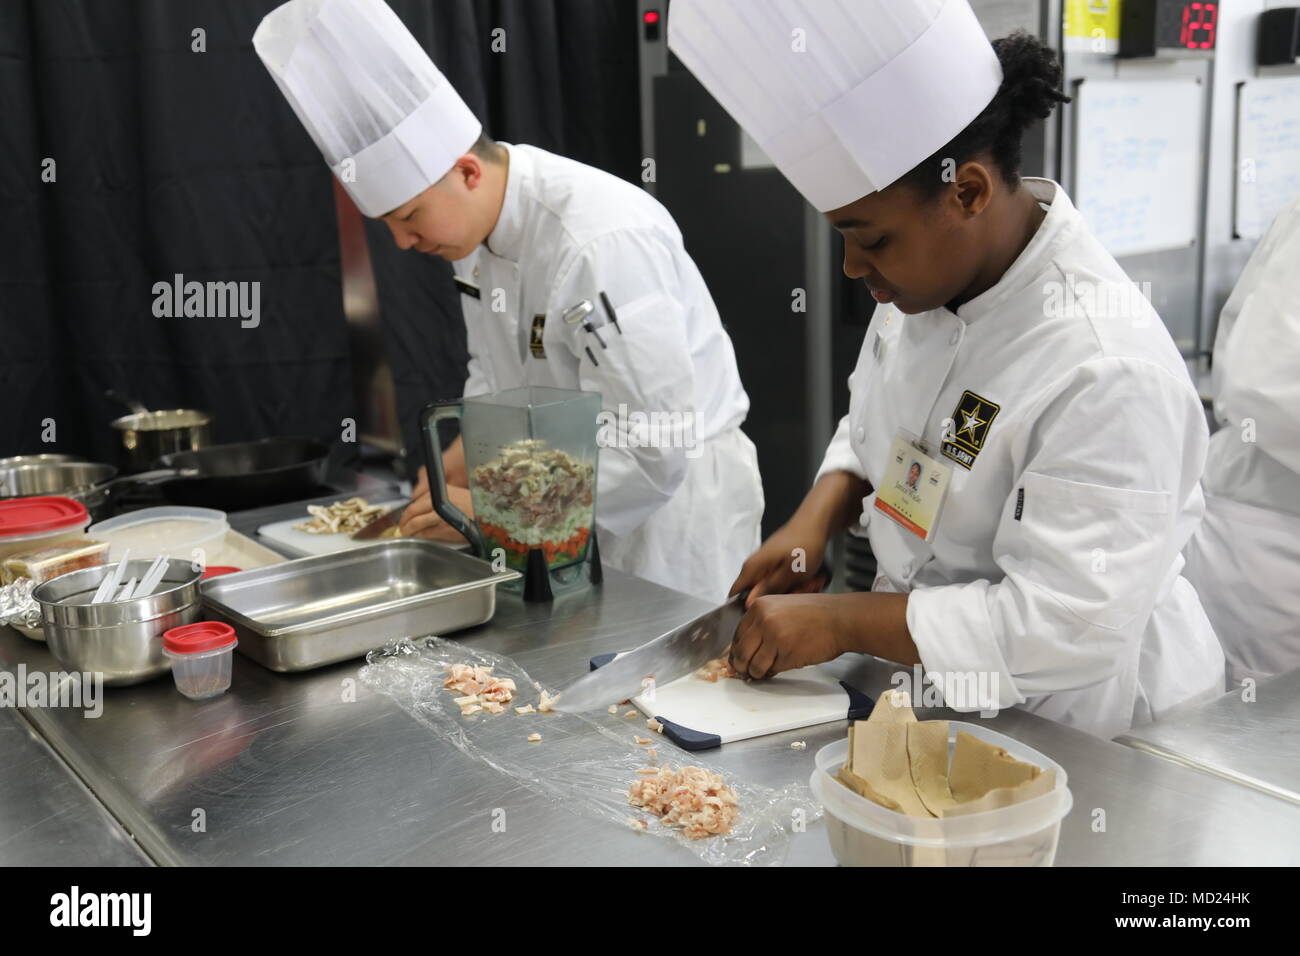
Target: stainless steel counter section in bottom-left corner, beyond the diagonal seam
47,816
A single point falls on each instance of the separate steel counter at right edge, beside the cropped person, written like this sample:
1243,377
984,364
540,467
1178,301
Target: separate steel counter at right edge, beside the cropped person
1254,743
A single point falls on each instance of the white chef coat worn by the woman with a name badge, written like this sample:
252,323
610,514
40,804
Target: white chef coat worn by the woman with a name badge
1055,564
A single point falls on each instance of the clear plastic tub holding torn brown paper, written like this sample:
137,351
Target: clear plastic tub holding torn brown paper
866,834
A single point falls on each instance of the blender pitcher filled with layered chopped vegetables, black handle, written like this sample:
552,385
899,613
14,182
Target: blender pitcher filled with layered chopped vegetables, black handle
531,458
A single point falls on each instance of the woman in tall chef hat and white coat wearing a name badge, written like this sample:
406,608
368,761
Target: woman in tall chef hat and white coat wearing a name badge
1059,434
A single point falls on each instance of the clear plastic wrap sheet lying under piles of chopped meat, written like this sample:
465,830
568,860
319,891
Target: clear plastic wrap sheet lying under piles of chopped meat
582,763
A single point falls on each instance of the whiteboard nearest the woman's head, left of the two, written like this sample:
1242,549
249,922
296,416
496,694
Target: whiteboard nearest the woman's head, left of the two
1138,158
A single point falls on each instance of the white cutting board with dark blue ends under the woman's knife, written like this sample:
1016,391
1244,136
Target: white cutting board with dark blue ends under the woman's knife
699,715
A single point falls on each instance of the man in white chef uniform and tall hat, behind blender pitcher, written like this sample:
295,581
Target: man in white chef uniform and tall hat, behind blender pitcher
534,236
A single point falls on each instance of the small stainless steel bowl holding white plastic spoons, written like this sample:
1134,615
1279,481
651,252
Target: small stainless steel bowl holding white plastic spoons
123,641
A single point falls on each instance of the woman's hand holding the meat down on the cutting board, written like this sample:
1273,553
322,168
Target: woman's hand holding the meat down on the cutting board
782,633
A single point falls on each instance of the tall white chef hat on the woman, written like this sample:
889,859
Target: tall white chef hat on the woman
864,94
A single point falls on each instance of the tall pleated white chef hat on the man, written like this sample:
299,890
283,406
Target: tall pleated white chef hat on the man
387,120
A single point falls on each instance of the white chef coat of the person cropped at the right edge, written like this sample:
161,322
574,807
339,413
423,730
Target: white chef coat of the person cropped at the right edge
1245,560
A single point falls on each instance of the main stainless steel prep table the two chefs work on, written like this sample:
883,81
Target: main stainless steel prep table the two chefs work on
285,772
